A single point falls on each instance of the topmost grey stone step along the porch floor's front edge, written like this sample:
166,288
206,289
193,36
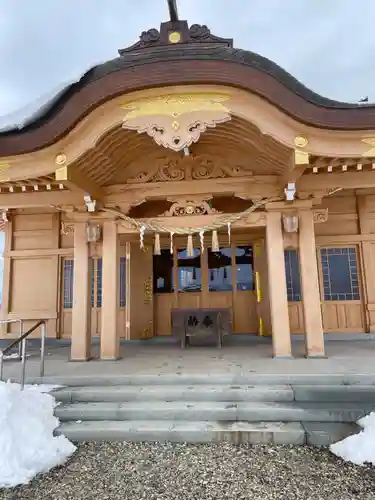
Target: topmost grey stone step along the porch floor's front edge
254,379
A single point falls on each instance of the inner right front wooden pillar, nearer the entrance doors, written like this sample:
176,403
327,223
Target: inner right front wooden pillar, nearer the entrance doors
281,339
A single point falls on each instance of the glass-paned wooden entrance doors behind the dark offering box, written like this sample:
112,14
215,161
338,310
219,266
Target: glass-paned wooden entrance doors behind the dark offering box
217,280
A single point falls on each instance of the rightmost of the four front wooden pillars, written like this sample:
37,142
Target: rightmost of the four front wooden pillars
312,311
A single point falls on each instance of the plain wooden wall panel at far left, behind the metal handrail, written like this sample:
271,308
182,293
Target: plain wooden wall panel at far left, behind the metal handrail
32,291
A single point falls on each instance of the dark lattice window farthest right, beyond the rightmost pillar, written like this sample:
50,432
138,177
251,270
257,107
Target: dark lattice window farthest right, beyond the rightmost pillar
340,273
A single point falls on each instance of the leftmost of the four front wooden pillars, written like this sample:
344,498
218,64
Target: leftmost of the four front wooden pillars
81,313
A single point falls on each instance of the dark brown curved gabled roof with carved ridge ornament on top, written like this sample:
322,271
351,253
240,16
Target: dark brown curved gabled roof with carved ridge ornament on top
198,57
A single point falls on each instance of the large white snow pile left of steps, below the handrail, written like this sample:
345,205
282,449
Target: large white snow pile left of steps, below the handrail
27,444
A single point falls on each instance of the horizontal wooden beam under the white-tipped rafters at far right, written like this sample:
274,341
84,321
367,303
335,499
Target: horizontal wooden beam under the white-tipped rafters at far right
343,180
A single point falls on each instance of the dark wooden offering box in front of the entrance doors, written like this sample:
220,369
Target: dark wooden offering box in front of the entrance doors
199,323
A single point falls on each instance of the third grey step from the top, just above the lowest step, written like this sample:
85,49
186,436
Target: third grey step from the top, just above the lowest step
213,411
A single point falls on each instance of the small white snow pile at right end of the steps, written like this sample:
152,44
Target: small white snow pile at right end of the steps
359,448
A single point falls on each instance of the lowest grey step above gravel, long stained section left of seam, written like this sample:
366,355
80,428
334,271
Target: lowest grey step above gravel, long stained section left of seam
189,432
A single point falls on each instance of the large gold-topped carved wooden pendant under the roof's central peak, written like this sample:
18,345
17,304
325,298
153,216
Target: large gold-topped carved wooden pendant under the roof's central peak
195,112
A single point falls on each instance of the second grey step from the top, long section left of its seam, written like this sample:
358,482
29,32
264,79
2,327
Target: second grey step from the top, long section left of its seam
204,393
